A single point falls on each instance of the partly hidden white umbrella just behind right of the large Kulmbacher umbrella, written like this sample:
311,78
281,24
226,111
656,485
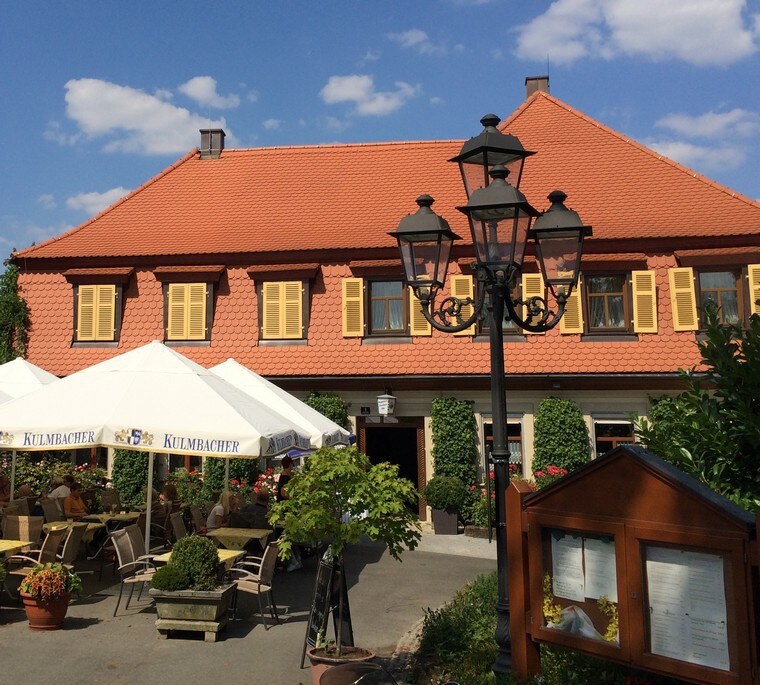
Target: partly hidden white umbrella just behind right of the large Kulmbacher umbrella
322,431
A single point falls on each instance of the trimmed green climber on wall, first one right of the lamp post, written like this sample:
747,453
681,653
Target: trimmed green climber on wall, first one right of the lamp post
561,435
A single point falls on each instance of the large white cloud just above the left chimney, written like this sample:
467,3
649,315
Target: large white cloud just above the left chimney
133,121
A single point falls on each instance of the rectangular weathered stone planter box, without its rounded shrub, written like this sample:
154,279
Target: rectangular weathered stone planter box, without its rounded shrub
198,611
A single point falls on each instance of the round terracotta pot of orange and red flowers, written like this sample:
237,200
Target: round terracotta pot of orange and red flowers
45,592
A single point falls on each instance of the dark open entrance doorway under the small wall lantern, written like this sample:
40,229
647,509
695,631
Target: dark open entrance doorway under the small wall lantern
401,443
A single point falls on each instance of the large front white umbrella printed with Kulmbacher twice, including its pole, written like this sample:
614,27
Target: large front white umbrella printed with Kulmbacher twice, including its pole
150,399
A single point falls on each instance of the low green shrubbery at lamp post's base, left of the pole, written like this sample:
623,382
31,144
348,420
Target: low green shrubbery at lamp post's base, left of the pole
459,638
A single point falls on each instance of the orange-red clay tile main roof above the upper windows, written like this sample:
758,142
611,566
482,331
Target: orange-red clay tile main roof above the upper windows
349,196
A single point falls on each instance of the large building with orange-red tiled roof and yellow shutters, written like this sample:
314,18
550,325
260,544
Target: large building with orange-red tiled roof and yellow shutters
266,254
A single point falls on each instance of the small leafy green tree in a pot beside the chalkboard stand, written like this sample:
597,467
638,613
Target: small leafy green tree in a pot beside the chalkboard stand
340,497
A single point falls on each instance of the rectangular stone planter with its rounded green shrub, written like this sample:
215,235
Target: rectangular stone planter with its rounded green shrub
186,591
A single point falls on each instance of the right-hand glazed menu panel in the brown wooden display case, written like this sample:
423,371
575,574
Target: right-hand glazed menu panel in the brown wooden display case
686,594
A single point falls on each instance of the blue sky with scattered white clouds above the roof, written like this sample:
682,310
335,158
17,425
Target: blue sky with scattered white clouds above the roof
98,97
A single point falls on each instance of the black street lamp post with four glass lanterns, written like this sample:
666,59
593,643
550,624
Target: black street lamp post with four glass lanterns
500,221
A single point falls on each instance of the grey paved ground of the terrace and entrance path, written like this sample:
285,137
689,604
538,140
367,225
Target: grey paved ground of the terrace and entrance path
387,600
